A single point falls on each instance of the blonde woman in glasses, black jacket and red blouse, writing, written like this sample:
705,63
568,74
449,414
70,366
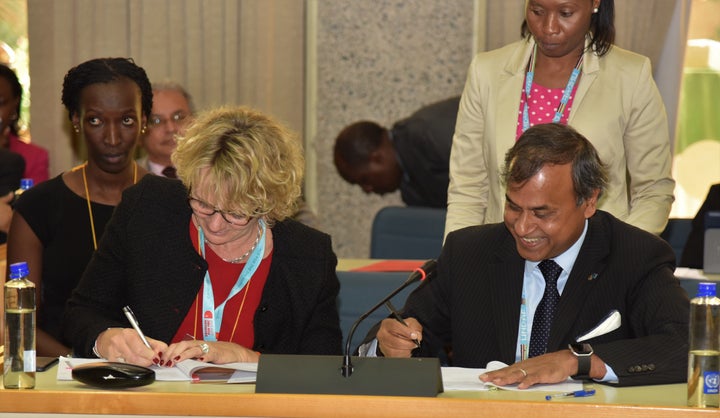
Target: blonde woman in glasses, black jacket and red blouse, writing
212,265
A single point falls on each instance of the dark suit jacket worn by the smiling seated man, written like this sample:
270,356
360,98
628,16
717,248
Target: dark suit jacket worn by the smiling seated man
474,302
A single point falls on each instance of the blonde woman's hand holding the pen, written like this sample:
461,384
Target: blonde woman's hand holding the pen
125,346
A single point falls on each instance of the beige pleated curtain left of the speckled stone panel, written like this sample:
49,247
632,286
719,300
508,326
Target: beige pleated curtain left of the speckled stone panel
224,51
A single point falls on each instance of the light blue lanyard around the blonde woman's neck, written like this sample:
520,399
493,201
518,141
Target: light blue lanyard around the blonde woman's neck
212,316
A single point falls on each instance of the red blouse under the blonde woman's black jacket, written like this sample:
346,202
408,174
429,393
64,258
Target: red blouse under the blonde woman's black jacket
237,325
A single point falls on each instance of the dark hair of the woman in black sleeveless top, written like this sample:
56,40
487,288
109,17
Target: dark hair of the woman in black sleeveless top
104,70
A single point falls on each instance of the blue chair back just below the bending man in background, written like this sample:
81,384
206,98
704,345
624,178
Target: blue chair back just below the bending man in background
407,232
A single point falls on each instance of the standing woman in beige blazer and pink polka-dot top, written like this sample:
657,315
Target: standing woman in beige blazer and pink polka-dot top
565,70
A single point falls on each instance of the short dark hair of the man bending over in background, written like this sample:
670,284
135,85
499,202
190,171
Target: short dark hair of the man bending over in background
356,142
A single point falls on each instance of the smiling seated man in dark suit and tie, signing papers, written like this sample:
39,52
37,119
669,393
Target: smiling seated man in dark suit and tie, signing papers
488,298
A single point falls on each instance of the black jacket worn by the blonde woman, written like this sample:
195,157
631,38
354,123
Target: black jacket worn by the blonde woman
147,260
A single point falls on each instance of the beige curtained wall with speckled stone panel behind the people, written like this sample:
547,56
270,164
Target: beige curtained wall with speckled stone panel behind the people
316,64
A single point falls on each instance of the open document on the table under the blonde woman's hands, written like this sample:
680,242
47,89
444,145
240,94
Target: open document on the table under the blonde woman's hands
186,370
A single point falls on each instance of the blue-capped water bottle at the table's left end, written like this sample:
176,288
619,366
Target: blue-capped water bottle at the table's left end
19,357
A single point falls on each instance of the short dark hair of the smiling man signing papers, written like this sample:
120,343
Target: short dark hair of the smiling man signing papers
556,144
